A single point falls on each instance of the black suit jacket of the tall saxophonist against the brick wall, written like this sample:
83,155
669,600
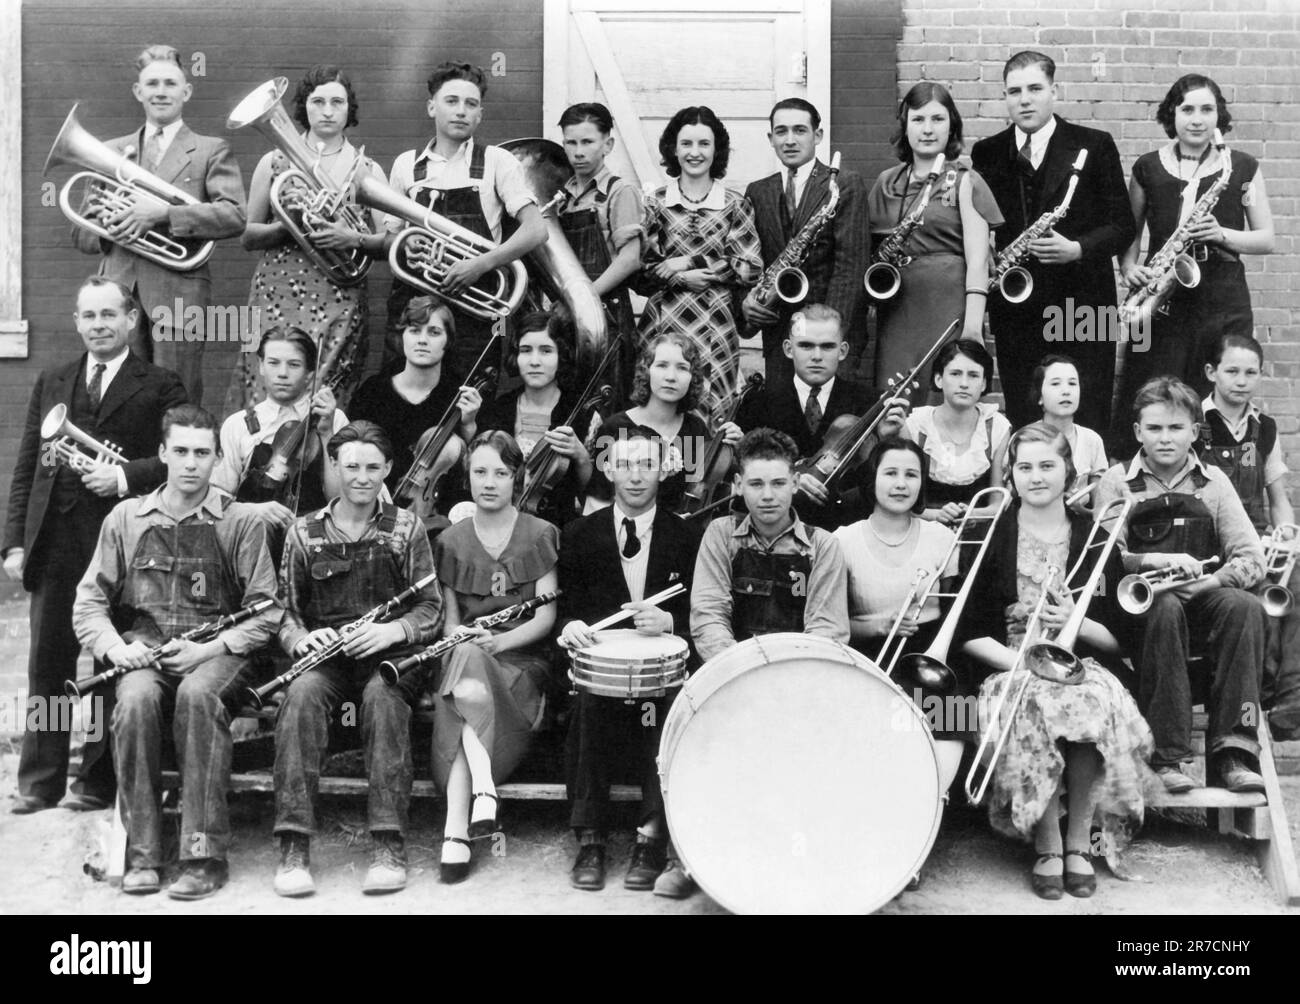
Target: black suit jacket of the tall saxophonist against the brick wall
1100,218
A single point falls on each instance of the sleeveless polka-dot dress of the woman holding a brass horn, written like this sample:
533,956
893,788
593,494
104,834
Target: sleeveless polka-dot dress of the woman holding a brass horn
288,288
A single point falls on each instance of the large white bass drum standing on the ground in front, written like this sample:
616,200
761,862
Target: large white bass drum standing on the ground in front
798,778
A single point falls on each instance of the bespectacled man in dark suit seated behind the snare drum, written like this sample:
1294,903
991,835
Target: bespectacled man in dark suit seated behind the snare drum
610,560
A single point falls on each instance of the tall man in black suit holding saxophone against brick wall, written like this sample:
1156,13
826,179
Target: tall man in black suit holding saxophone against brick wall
1028,167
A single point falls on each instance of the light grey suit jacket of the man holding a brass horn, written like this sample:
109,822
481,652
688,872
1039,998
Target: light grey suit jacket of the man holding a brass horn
205,168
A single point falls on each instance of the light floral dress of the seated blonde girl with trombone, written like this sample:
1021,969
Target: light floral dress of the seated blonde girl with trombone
1098,712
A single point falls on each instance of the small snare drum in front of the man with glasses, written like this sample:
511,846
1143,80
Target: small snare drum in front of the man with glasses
630,665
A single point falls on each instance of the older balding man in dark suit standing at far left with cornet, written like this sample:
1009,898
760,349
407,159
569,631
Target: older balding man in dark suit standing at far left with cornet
54,523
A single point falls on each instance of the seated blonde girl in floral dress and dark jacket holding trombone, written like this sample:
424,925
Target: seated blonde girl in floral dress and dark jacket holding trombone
1085,745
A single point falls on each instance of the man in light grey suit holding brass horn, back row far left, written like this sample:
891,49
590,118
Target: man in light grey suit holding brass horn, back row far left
202,167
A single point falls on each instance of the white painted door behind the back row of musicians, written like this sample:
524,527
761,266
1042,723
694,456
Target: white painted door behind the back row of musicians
645,60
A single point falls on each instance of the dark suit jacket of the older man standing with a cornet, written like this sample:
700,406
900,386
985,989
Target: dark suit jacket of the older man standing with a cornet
131,417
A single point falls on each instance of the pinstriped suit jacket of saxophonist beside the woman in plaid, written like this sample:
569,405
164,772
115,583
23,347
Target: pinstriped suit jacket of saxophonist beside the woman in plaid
839,257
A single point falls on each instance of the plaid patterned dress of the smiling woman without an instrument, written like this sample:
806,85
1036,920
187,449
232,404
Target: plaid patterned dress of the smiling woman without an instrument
721,236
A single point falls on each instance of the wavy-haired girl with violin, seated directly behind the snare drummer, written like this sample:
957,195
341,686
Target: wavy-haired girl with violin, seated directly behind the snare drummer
666,390
